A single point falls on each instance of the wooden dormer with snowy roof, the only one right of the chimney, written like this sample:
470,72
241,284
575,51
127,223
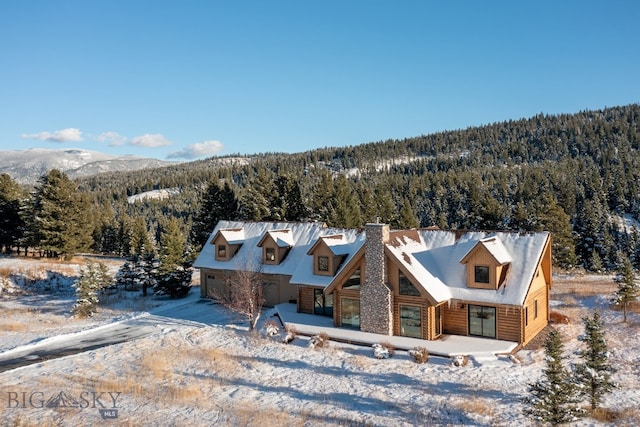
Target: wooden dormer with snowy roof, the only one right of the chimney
487,264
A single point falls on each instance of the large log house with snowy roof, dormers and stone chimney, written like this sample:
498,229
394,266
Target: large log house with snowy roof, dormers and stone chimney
421,283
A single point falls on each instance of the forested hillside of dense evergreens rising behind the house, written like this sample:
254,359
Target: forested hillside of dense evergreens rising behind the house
576,175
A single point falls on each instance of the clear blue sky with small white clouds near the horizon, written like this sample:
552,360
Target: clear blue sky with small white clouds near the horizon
187,79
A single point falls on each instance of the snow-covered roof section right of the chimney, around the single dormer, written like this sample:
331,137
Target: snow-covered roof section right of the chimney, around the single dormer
432,258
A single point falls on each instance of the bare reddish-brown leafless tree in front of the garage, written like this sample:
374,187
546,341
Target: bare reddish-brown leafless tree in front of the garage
244,292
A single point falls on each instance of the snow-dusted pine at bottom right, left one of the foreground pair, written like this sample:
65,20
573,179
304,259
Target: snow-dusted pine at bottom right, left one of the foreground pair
553,398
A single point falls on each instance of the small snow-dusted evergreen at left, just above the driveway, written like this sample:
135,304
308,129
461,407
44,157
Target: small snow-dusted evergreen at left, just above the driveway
93,278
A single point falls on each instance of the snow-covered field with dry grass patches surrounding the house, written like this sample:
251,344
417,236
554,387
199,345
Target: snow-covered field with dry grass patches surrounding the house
198,365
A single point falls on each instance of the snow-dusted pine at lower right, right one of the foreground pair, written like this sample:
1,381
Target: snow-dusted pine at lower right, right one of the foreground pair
594,374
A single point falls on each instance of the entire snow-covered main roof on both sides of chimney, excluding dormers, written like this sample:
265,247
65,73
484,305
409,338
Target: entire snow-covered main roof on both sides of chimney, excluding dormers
432,257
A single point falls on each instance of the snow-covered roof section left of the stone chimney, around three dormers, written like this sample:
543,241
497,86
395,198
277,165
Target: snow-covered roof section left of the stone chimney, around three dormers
300,236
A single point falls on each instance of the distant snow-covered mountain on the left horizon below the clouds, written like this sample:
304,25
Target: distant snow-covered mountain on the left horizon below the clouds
26,166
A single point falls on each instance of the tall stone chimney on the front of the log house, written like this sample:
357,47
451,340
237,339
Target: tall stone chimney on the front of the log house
376,299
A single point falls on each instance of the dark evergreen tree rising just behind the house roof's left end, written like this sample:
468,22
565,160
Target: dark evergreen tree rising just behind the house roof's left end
218,203
